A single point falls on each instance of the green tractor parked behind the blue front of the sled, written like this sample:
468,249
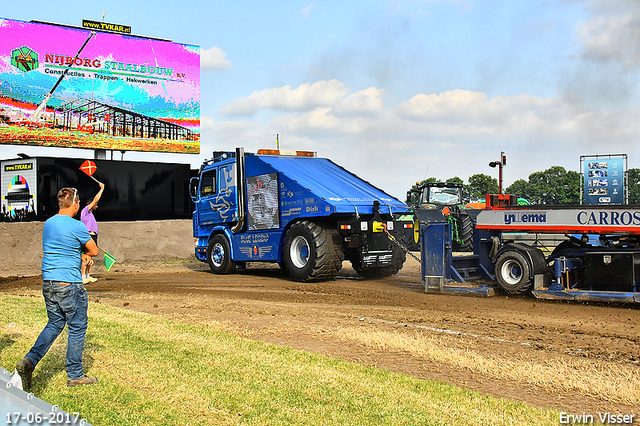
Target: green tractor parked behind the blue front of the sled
448,198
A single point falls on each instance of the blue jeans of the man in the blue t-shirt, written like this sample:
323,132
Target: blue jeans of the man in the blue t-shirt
66,304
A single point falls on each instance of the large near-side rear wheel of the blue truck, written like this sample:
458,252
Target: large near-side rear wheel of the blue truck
311,252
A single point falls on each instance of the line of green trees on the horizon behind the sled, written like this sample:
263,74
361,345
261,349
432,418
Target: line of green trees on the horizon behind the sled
555,185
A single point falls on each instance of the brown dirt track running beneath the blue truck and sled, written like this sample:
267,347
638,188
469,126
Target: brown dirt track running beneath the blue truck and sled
261,303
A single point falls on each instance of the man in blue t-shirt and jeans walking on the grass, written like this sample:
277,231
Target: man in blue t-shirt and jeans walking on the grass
66,244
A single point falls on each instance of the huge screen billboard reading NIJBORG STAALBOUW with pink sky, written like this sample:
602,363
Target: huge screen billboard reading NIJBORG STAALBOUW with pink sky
73,87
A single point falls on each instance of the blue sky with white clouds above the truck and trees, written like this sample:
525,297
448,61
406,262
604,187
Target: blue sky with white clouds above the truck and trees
396,91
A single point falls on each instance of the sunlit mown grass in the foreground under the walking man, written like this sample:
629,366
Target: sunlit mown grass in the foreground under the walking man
155,371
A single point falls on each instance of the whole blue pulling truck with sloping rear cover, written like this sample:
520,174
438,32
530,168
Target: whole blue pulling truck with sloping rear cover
306,213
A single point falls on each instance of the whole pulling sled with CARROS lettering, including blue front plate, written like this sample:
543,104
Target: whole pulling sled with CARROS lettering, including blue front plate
577,268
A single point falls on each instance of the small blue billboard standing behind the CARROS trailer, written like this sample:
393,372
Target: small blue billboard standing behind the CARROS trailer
603,179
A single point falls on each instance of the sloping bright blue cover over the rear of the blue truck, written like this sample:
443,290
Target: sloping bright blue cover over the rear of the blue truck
334,184
